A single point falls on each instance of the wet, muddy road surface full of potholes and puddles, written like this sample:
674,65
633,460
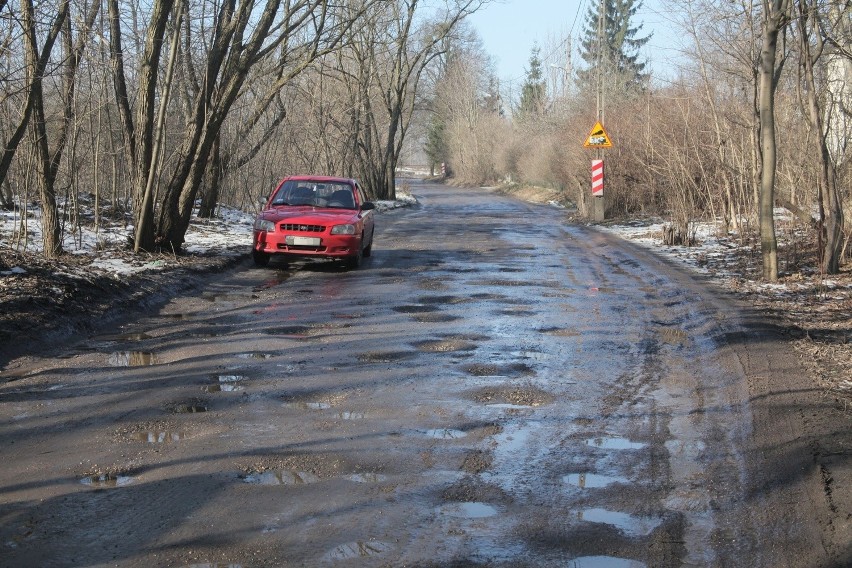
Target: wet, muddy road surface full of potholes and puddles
493,387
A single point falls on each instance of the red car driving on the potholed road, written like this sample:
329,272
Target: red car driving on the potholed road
315,216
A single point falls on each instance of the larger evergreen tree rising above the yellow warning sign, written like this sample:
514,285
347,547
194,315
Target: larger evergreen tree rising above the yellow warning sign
618,52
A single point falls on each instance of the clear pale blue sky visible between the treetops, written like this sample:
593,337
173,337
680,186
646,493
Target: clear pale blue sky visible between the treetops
510,28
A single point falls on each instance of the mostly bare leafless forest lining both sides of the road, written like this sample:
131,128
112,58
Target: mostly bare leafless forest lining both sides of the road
153,112
